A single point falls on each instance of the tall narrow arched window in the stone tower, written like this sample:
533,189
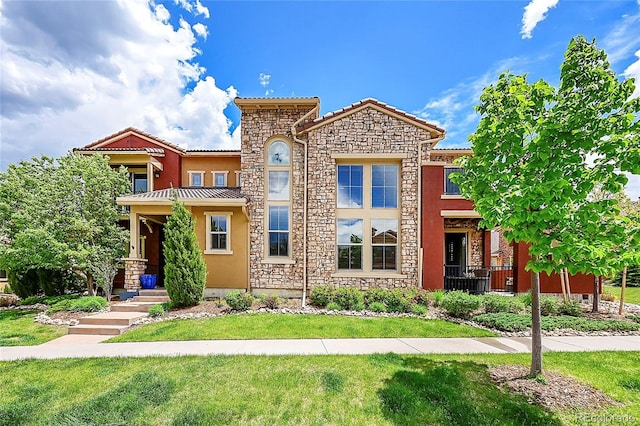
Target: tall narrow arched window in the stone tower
278,199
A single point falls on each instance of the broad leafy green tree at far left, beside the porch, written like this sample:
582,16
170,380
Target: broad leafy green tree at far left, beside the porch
58,216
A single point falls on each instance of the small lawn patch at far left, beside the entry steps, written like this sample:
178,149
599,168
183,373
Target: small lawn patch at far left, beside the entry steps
18,329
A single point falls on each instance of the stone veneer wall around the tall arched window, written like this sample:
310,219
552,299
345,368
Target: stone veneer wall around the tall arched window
258,126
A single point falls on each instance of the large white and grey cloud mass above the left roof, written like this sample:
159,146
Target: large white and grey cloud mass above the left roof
121,64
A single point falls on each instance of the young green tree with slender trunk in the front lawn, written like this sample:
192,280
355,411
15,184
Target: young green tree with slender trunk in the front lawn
538,153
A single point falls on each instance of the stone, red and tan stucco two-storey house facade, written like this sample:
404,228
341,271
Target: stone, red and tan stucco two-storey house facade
358,197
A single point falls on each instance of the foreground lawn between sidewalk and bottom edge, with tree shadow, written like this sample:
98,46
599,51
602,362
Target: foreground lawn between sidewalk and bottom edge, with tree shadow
294,390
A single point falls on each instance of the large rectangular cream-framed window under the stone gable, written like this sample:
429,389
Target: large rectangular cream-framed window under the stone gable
367,199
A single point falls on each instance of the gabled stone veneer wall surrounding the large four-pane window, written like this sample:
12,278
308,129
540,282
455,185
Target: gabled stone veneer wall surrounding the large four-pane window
364,132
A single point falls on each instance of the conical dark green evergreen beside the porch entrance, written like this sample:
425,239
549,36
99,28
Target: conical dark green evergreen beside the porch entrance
185,272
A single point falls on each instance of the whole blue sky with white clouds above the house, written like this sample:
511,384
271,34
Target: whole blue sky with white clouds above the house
74,72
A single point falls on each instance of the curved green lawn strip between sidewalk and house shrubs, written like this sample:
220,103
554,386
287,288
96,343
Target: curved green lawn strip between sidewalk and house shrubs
277,326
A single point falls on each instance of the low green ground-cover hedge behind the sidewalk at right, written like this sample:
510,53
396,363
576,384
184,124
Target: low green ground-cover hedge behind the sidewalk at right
519,322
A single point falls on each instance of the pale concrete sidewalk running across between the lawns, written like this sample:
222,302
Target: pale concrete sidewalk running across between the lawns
66,347
